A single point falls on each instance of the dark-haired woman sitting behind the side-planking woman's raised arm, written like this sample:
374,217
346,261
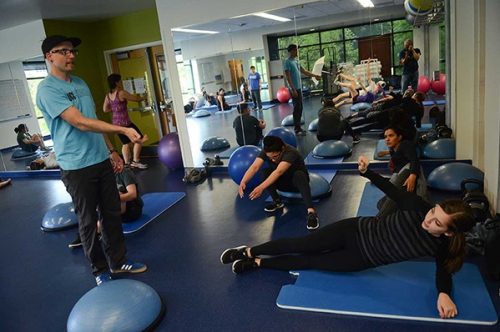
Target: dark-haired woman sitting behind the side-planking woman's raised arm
404,166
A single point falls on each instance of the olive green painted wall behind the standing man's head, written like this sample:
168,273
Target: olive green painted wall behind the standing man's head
97,37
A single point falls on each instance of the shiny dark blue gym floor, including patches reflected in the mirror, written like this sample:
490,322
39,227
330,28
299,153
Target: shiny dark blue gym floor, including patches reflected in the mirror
42,278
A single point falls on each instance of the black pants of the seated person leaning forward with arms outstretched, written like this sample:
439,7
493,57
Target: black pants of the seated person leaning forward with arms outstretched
297,181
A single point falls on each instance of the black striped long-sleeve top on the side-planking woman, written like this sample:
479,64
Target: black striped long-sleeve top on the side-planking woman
400,236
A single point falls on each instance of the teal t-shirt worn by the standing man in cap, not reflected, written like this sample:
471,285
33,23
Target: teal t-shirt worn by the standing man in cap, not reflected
75,149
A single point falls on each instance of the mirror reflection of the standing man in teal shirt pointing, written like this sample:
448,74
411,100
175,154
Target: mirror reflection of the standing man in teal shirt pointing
292,74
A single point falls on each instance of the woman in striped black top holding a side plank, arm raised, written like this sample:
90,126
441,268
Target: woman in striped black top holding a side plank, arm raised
417,228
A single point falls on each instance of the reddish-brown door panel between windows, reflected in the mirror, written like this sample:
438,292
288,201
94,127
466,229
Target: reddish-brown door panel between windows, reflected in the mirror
378,47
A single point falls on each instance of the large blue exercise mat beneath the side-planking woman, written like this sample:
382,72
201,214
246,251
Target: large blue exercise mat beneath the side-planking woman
404,290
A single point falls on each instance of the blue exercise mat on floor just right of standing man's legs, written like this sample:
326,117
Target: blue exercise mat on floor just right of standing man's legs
154,205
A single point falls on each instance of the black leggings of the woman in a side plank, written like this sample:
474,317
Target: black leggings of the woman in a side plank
332,248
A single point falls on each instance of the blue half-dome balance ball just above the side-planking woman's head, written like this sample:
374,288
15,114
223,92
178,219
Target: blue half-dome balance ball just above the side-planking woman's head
450,176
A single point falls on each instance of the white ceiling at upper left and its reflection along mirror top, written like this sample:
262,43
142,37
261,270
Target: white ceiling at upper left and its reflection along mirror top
16,12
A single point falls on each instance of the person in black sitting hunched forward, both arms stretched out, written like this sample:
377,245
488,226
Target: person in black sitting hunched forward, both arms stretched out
286,171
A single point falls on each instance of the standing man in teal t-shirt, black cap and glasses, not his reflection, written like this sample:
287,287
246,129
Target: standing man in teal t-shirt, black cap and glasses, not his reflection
86,157
